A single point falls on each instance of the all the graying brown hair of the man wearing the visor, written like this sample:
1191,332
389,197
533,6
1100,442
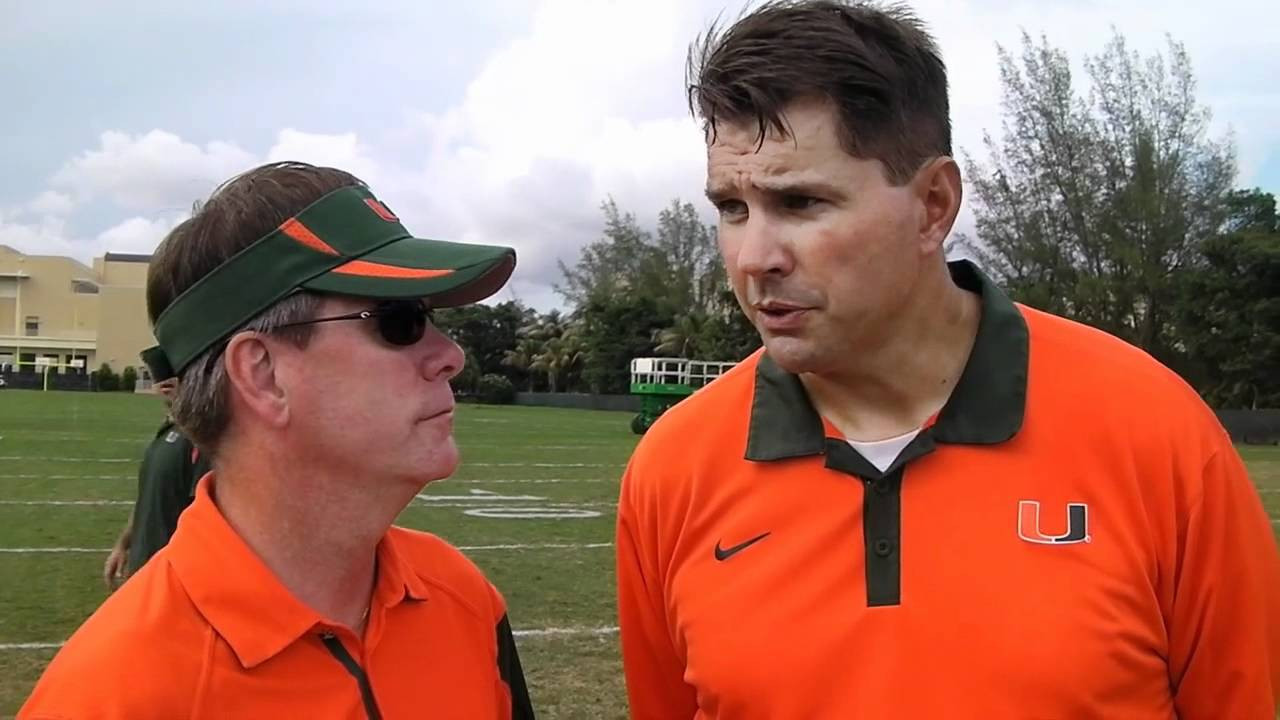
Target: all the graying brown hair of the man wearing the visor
237,215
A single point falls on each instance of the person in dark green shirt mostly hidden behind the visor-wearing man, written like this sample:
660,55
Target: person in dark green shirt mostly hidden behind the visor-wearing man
167,485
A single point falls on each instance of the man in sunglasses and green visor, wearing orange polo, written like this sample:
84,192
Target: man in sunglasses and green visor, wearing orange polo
295,309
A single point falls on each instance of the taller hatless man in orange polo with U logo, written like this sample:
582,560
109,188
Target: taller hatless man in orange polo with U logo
920,499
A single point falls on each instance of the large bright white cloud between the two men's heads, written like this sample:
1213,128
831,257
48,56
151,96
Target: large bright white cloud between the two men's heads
587,106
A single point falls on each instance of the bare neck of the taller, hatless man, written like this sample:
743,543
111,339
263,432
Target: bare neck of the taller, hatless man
894,386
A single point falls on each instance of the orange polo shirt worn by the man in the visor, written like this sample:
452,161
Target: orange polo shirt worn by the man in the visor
207,631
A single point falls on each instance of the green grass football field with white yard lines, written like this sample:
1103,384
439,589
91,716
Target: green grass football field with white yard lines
85,449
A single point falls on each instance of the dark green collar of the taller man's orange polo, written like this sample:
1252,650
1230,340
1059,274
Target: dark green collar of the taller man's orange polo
986,408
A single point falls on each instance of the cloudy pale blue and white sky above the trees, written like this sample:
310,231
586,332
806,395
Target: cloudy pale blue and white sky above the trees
491,121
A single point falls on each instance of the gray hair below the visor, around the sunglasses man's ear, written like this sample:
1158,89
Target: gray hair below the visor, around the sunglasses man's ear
202,407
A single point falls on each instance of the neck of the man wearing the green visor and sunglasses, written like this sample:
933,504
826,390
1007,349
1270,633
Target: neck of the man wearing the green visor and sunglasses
294,527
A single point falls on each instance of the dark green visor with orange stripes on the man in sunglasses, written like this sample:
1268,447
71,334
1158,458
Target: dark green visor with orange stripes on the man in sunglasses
345,244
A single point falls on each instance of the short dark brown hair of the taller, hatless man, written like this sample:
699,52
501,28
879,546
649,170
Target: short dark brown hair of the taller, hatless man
879,67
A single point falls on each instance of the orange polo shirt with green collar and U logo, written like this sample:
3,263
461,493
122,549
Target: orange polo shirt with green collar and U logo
1072,537
